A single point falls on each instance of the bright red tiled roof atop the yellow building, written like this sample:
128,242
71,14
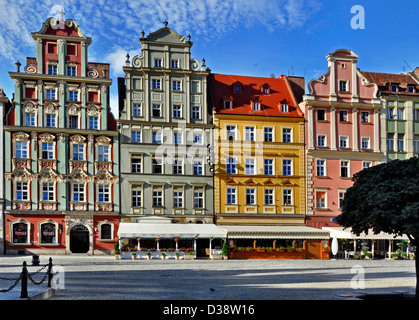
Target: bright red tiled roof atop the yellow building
280,92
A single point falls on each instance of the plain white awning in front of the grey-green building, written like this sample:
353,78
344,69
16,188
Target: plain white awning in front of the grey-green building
169,230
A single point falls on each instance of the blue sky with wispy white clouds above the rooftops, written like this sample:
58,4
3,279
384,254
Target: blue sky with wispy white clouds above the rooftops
245,37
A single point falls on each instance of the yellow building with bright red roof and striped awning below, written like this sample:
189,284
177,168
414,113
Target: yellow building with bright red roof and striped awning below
259,175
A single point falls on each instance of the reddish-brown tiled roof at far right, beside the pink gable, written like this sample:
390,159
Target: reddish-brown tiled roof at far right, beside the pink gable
385,80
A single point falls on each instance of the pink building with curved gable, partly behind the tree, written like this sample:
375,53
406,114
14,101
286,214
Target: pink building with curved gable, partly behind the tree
342,113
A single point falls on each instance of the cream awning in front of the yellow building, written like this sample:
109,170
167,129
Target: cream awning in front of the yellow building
274,232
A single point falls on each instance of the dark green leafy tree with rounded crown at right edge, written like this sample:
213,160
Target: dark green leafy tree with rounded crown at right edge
385,198
